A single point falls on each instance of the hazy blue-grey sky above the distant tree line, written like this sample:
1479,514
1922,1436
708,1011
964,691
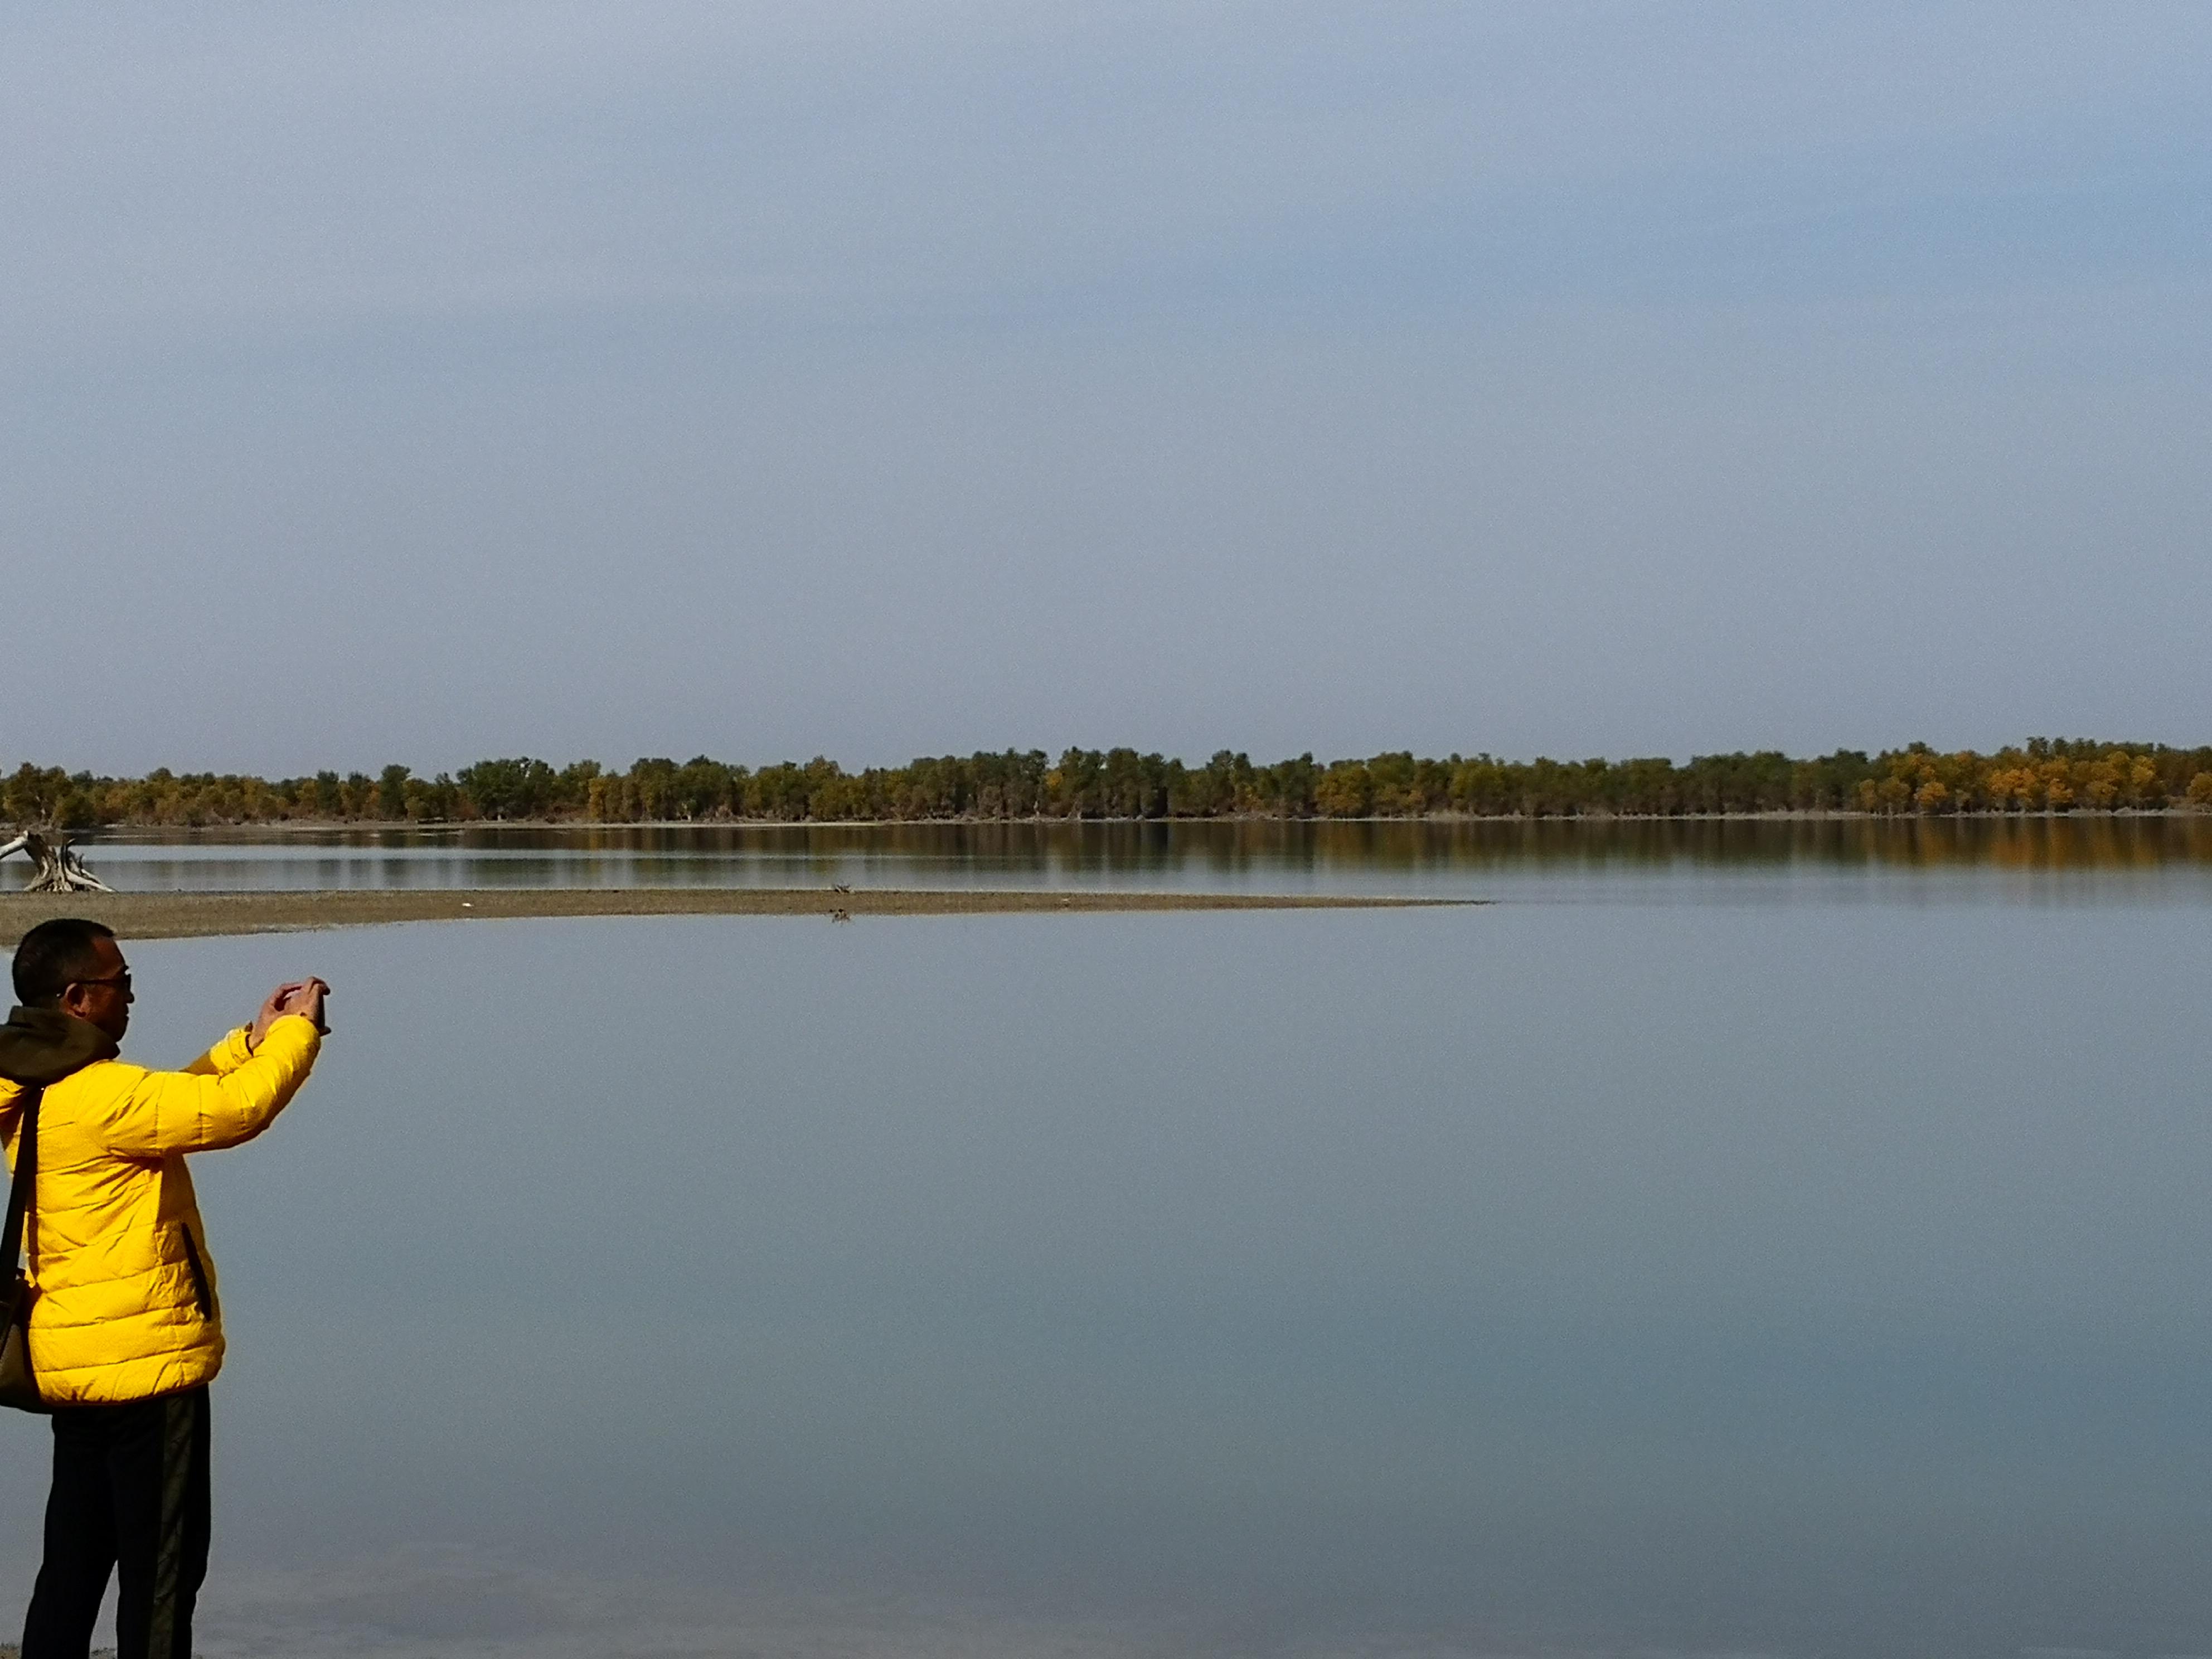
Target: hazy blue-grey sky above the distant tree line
881,379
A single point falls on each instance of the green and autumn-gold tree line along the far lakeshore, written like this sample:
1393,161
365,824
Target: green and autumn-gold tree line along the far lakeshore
2041,775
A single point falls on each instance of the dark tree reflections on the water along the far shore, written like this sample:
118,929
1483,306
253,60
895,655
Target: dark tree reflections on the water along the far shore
1185,853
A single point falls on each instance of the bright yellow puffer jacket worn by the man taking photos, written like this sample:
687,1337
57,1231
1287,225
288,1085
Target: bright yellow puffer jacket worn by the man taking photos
125,1282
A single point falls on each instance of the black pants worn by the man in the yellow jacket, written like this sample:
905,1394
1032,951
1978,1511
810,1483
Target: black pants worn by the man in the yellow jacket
129,1496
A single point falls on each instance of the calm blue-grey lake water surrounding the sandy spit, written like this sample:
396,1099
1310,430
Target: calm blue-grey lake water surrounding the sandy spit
1786,1251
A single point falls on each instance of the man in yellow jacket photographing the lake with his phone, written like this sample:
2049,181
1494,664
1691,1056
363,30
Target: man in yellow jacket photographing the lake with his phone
125,1331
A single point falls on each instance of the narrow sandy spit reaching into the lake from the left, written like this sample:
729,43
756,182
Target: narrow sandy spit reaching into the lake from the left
282,912
